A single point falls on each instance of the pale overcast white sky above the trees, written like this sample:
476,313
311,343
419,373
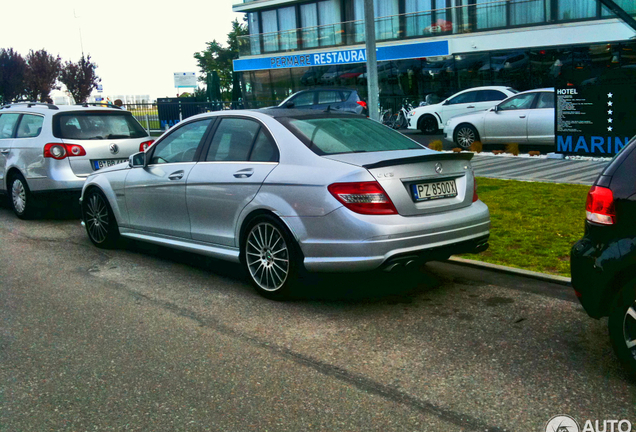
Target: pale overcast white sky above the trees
137,44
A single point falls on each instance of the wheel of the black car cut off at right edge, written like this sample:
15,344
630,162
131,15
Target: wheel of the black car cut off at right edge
622,327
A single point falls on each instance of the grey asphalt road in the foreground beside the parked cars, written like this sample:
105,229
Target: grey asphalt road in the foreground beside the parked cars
145,338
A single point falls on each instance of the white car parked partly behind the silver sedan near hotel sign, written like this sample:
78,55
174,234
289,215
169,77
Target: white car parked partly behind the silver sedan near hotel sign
431,118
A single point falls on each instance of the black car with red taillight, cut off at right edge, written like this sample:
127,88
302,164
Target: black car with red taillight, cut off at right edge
603,262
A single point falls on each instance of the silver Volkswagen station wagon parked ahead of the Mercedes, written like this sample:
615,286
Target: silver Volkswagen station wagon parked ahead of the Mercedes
47,151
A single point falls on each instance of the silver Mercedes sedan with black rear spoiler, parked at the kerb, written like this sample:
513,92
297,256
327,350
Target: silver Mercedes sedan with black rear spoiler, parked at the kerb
284,191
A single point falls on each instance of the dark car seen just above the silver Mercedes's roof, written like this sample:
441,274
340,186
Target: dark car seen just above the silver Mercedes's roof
340,99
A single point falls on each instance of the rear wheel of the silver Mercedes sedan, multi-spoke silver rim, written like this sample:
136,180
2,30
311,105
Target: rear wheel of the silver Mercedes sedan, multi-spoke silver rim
271,257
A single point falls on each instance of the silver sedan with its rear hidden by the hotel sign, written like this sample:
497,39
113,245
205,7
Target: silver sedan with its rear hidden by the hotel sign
525,118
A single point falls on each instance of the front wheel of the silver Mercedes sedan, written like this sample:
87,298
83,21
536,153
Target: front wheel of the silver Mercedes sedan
99,219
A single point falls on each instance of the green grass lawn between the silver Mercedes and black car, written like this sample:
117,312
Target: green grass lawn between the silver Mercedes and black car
534,225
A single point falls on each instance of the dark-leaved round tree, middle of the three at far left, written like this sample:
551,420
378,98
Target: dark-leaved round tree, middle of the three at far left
41,75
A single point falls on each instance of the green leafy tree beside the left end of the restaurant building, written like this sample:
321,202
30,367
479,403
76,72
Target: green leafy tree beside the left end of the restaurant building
218,58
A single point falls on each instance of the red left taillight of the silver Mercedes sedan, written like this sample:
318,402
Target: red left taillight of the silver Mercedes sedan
363,197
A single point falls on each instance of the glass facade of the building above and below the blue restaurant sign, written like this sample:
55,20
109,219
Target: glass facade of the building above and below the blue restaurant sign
313,26
